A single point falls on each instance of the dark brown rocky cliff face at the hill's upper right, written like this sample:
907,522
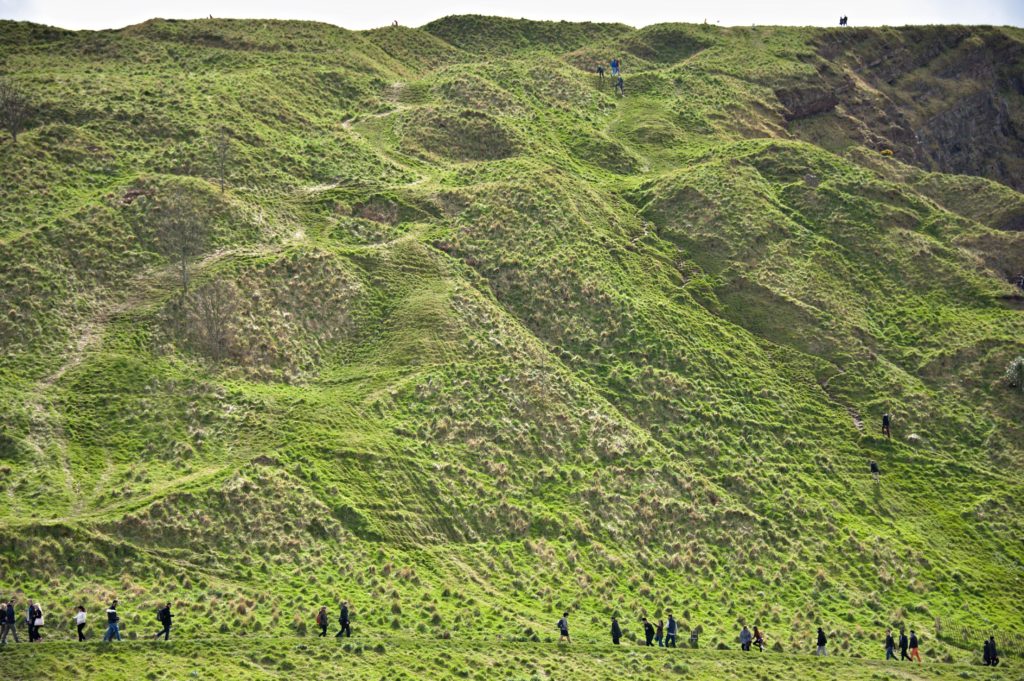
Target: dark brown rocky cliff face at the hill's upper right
946,99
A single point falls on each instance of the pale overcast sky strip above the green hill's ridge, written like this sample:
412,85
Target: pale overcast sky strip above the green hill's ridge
371,14
